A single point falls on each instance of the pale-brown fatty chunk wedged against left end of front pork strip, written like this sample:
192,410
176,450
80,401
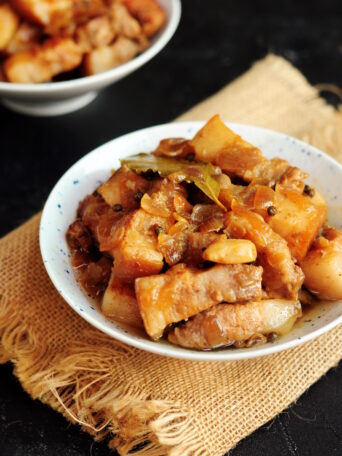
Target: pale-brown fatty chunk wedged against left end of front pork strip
119,303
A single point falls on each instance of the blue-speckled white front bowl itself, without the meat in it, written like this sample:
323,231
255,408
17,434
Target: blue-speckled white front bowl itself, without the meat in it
94,168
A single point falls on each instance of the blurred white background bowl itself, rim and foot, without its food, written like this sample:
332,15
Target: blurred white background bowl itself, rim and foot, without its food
56,98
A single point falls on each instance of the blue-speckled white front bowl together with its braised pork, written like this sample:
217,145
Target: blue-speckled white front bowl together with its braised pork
250,292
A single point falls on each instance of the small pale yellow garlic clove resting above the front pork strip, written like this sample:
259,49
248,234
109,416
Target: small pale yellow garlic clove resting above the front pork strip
230,251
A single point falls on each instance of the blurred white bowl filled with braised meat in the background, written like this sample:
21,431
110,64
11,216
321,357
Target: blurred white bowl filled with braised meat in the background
53,53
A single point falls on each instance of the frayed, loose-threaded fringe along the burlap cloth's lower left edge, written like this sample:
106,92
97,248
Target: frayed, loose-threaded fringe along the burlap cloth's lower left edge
88,393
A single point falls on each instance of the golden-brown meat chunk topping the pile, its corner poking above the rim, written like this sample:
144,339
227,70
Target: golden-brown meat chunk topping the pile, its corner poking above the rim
218,144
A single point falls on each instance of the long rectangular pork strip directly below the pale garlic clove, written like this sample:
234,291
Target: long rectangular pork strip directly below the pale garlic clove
183,292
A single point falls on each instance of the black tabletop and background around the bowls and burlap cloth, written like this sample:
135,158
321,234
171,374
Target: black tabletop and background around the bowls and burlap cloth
216,41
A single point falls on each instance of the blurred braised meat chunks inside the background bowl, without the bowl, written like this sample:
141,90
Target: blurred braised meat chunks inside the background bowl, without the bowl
42,39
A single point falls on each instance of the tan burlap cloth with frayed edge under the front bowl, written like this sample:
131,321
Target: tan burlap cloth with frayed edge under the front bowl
184,408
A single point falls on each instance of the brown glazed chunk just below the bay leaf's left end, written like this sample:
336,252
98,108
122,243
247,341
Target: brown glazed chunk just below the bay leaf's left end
123,188
